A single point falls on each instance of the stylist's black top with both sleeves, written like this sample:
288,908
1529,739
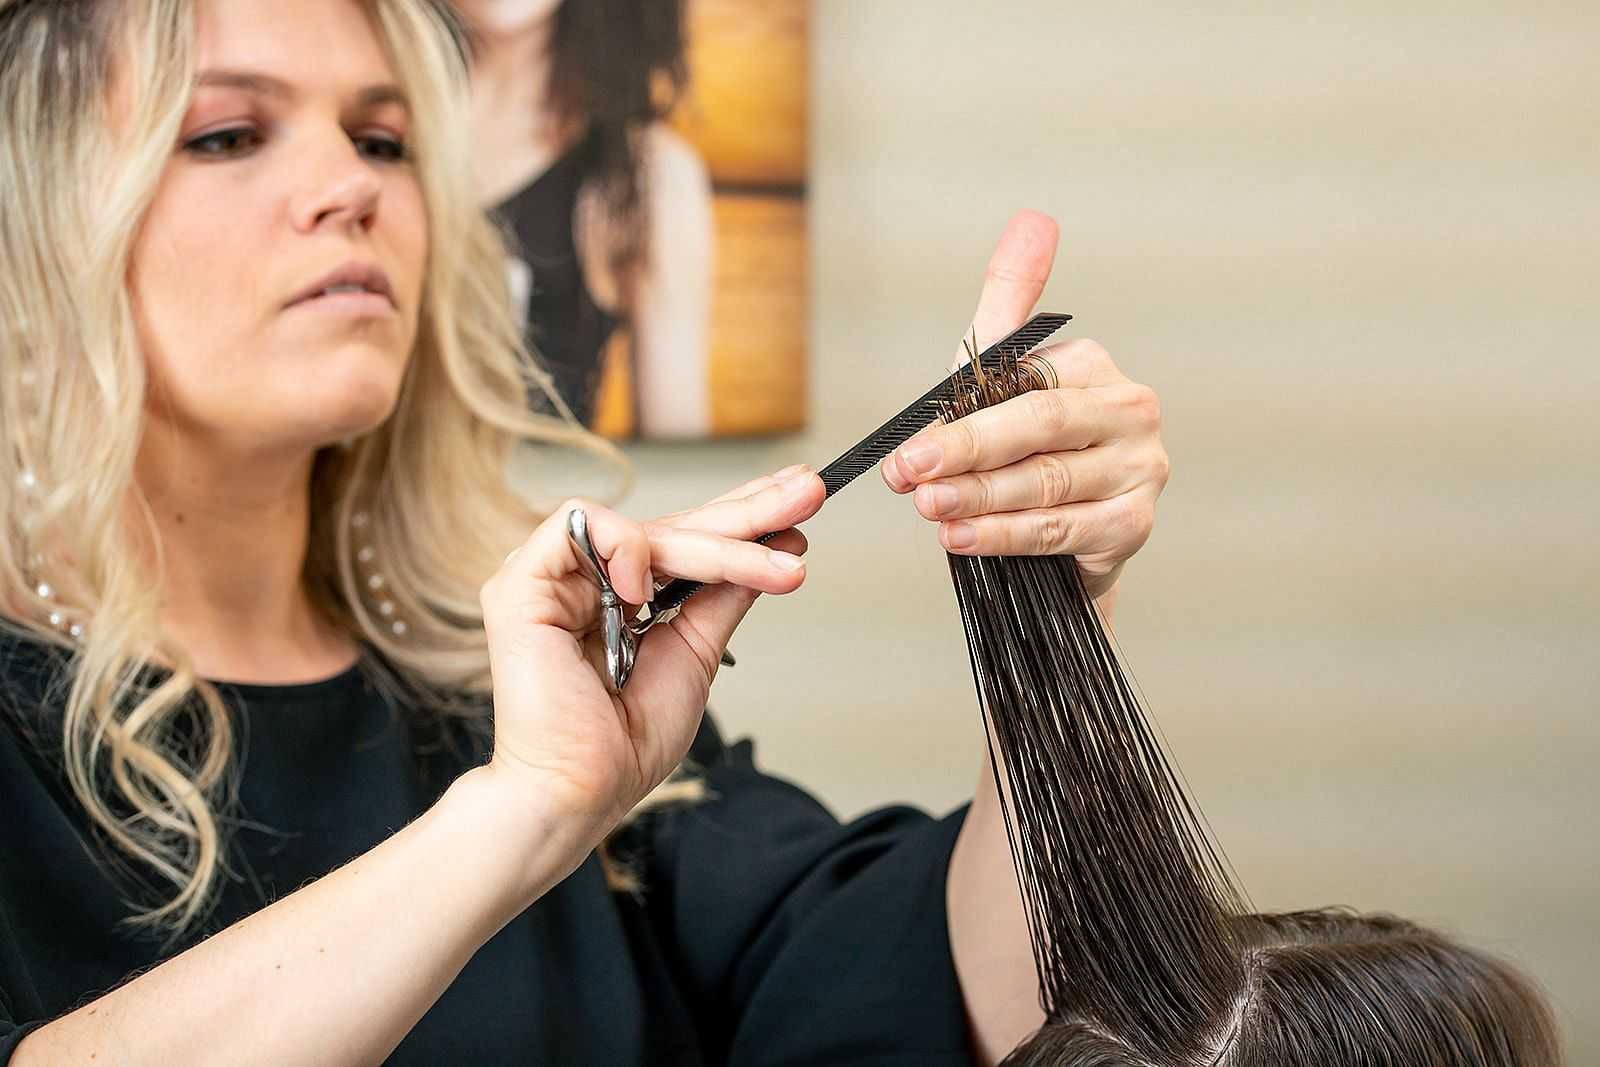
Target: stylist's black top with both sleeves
769,933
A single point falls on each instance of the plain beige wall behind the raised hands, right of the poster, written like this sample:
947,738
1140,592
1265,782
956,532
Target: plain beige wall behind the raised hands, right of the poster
1354,247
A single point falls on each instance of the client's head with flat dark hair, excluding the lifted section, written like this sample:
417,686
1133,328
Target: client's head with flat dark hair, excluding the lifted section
1334,989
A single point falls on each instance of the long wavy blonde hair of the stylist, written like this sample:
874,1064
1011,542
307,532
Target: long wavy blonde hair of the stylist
433,479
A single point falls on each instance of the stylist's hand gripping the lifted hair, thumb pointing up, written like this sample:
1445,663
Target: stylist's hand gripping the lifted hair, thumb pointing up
1073,470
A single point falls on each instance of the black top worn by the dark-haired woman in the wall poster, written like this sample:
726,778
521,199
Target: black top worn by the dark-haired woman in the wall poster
564,326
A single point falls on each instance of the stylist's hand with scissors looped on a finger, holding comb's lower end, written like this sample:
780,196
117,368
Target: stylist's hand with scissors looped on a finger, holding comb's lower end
561,738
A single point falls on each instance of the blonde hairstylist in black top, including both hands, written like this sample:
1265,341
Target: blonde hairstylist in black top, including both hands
297,764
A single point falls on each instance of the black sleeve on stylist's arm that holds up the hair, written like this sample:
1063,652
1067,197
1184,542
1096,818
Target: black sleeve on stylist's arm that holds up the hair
799,940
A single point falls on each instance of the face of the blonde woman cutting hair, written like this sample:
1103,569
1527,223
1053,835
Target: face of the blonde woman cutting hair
279,271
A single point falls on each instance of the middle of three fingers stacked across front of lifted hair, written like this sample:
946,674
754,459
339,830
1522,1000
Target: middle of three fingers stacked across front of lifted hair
1046,481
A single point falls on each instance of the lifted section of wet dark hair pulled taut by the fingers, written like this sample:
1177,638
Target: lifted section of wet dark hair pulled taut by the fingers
1122,887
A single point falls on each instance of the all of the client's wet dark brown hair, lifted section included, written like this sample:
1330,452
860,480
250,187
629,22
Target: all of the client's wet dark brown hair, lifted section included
1146,948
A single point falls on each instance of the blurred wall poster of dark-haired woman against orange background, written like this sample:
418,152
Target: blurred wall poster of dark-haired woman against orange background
647,164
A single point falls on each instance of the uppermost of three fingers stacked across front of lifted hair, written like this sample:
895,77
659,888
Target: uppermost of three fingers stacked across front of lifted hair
1041,422
